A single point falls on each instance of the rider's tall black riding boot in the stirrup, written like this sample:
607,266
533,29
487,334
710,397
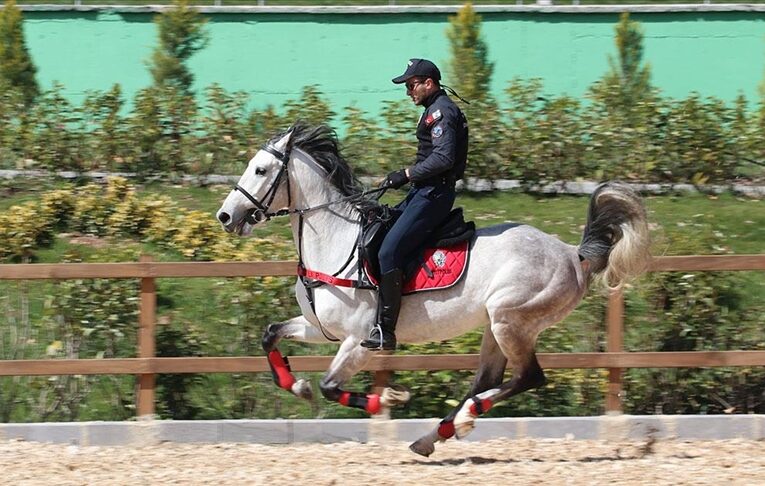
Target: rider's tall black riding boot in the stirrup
383,335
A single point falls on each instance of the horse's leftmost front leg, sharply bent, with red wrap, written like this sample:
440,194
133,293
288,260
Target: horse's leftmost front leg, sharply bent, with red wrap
298,329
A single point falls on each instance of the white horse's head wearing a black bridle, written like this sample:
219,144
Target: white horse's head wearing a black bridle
261,191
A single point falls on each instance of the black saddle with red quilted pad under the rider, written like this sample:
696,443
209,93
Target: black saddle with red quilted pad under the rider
447,249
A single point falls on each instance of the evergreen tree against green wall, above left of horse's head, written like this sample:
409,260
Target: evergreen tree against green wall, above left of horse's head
181,34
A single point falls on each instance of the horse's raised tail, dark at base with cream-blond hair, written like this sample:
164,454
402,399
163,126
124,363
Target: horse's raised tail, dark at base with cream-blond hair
615,240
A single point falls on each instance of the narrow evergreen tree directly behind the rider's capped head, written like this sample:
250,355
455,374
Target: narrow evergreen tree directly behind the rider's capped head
469,70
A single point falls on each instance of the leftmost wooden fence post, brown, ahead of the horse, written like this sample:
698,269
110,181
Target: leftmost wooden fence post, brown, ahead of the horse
146,342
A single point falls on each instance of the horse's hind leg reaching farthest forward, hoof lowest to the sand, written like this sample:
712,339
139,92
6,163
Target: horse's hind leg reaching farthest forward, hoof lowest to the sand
491,370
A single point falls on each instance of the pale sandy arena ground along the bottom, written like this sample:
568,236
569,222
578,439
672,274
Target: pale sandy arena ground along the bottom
516,462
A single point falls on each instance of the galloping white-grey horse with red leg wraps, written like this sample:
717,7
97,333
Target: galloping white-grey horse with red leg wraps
520,280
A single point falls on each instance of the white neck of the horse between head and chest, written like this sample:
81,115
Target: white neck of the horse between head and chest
329,234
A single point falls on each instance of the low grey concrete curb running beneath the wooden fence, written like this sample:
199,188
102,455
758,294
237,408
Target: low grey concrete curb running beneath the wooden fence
607,427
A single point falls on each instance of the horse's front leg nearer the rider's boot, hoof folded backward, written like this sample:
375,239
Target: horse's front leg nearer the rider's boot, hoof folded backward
348,361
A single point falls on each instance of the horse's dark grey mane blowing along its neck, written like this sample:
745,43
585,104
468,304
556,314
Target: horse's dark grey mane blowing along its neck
320,142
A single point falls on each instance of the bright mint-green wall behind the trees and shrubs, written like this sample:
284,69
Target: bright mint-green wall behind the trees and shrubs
353,56
